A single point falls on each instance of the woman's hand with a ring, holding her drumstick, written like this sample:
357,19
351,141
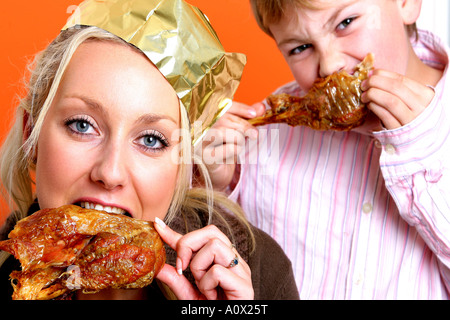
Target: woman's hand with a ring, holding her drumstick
209,253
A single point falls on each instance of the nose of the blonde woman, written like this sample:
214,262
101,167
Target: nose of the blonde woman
109,170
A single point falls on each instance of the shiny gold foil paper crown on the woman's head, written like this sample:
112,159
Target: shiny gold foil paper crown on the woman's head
179,40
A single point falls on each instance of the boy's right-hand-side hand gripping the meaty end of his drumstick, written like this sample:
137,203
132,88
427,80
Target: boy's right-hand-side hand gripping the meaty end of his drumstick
395,99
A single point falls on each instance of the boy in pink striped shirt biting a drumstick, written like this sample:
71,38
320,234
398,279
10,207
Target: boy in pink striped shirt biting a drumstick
362,214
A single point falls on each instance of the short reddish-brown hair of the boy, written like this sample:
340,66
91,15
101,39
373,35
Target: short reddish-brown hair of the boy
267,12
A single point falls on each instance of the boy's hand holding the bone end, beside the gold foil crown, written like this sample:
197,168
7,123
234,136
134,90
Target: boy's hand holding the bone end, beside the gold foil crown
226,140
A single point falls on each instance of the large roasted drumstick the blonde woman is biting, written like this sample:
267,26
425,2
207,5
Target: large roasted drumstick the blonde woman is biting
71,248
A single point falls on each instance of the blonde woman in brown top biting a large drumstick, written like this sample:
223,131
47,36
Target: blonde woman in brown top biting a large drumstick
101,127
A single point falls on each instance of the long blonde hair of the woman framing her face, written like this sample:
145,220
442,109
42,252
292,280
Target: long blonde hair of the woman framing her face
18,154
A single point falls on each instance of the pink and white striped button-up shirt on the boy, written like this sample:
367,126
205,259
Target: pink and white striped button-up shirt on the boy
362,214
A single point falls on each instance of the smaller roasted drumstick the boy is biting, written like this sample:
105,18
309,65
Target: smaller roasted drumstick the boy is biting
332,103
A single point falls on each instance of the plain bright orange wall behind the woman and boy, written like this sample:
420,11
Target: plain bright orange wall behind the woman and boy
28,26
